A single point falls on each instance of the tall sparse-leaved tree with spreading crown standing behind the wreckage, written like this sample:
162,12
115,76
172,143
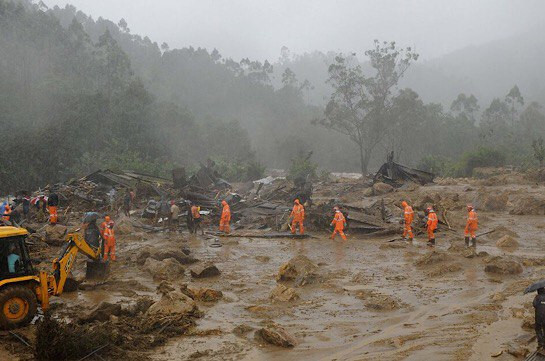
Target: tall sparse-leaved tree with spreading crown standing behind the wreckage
359,105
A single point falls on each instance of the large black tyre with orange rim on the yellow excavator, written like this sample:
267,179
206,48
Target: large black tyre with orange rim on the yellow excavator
18,306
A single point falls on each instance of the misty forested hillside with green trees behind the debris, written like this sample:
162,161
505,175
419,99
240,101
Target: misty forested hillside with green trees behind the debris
77,94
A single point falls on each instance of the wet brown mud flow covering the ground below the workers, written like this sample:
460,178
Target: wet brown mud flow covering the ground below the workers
372,299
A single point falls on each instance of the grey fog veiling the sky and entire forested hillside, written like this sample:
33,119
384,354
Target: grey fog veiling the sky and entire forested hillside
256,85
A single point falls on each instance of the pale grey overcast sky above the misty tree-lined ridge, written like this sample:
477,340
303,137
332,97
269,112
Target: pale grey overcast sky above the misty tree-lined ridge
259,28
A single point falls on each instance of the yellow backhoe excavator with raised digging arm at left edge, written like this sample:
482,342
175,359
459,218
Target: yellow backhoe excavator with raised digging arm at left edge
21,287
